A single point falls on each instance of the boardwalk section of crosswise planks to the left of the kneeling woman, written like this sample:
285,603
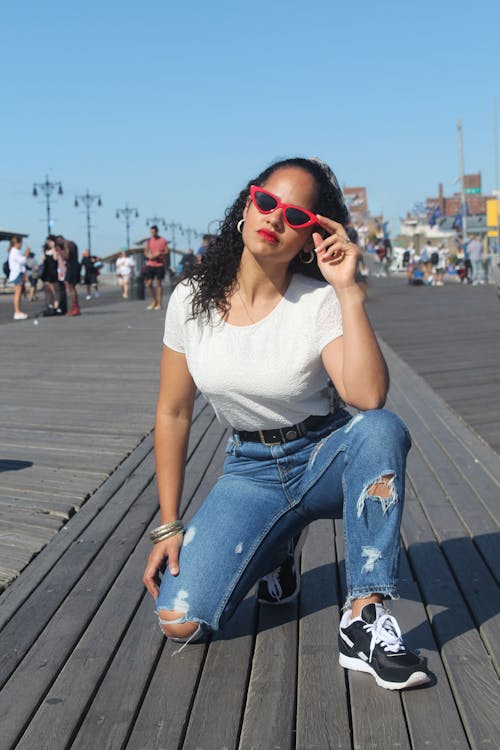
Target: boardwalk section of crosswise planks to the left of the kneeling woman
77,396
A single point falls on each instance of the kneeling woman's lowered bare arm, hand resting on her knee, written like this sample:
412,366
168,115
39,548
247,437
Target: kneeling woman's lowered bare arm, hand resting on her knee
172,426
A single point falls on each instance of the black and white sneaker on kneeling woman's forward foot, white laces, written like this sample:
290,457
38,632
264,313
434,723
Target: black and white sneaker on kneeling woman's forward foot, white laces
372,643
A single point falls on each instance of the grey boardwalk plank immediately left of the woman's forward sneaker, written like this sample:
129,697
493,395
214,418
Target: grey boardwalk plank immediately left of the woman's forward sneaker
322,705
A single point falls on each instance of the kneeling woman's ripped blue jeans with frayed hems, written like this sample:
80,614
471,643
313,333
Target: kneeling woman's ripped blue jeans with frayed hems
269,494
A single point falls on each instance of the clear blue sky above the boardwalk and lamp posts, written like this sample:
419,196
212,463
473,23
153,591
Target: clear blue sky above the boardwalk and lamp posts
172,107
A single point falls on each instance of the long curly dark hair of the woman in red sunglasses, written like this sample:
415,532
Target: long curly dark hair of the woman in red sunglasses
213,280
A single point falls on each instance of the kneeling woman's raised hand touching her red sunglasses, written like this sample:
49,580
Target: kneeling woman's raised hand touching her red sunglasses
337,254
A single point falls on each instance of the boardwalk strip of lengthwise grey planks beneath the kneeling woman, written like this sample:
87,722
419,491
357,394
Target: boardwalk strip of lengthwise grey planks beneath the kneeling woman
83,663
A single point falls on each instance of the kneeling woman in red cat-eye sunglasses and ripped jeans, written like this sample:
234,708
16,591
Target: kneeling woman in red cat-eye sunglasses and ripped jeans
261,340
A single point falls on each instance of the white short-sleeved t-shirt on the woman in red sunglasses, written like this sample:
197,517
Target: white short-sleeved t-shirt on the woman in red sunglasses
266,374
